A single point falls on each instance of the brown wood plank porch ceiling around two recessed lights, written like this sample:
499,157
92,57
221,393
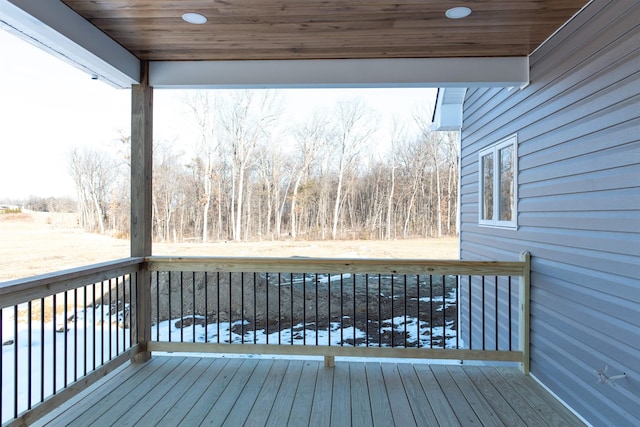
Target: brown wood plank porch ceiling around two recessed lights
333,29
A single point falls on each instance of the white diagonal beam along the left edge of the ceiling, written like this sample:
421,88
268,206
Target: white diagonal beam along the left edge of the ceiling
56,28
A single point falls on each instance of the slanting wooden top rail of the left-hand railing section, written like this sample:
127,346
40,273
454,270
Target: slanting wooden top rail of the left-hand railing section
22,290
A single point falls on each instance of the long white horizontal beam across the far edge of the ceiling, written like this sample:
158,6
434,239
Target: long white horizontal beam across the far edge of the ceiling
336,73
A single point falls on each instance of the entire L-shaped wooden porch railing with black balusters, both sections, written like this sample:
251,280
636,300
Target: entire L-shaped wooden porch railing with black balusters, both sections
61,332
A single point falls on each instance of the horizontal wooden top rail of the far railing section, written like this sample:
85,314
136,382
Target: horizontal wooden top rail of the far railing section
336,265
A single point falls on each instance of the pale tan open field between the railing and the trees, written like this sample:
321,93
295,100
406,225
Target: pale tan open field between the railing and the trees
35,243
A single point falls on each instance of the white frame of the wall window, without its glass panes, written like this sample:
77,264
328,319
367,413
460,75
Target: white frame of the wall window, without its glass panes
495,149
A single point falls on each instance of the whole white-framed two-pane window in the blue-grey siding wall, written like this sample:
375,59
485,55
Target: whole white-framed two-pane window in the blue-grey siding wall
498,184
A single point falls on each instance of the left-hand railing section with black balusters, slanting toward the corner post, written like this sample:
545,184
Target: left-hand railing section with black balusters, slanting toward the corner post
63,331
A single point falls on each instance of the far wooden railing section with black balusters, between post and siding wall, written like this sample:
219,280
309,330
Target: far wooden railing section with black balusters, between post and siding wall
341,307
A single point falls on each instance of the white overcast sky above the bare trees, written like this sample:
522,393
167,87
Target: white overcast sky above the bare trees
47,107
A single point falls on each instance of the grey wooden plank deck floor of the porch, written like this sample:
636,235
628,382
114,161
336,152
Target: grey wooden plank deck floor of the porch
190,391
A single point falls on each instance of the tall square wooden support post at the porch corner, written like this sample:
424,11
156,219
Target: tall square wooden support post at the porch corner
141,228
